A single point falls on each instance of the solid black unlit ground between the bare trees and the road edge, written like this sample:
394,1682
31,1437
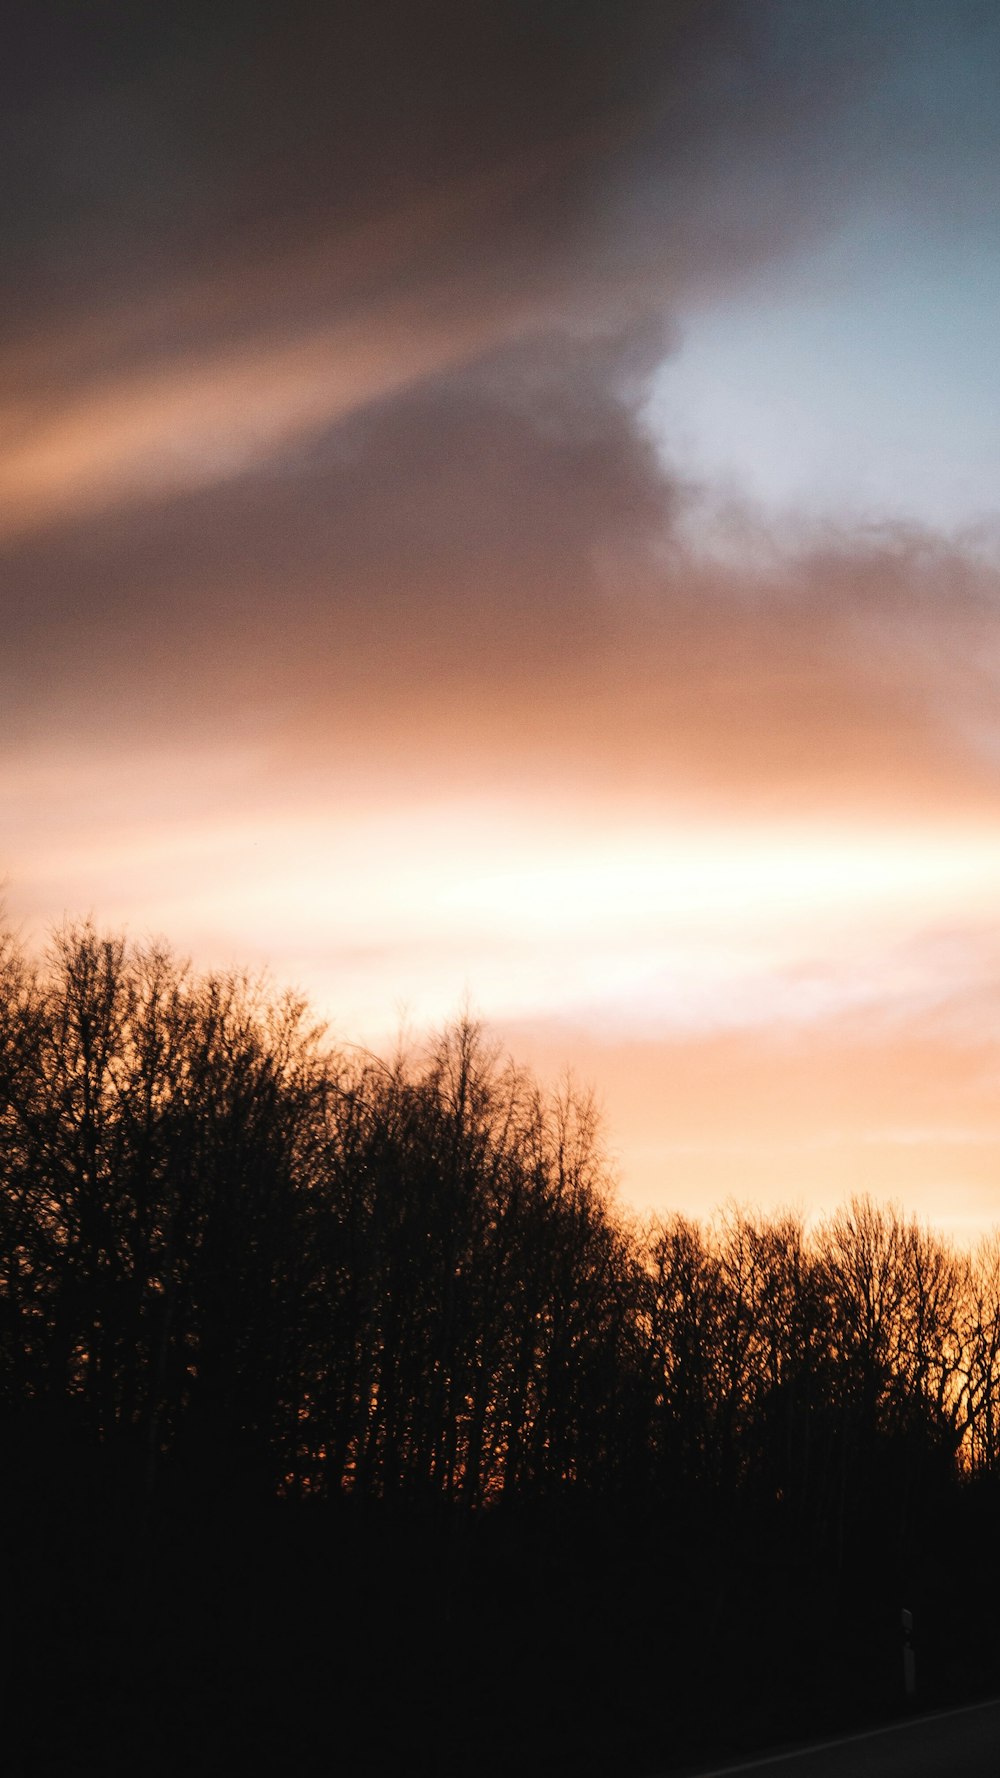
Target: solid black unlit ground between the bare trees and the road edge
207,1635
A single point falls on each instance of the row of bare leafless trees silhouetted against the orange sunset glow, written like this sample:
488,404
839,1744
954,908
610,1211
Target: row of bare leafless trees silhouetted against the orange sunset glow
223,1242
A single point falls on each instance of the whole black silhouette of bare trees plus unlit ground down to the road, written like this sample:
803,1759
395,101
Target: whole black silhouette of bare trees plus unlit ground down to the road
350,1422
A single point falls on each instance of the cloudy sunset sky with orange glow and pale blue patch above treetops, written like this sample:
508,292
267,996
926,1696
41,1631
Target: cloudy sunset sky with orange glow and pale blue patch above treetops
499,508
